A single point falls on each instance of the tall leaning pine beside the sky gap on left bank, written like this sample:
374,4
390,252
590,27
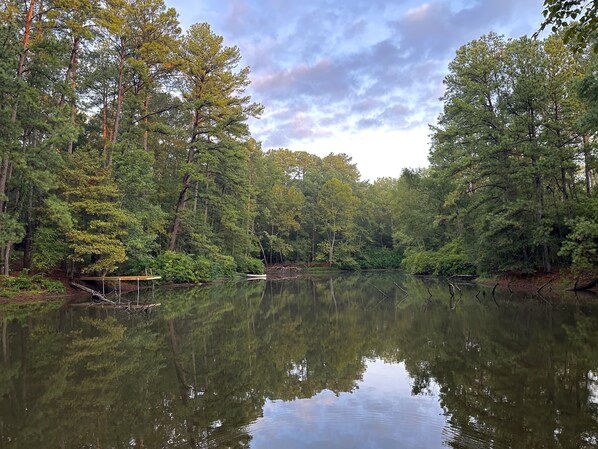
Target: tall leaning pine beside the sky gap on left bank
214,95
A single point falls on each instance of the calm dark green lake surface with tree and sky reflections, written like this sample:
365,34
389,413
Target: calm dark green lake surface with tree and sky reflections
348,361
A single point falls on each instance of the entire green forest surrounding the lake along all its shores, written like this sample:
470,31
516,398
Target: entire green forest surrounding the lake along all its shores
125,146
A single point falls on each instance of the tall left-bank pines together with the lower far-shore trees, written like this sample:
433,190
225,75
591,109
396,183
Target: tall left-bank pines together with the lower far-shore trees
124,145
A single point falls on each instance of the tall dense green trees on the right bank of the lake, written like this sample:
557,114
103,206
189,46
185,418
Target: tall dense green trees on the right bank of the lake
513,166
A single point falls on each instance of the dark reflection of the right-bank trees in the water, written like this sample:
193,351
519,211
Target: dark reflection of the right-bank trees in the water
511,375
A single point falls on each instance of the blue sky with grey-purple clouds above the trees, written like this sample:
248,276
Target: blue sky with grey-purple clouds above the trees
361,77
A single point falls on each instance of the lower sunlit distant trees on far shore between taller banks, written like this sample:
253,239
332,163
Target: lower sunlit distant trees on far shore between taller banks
312,209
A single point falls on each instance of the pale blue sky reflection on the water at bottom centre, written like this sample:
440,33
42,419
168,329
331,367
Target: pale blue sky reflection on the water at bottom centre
381,413
